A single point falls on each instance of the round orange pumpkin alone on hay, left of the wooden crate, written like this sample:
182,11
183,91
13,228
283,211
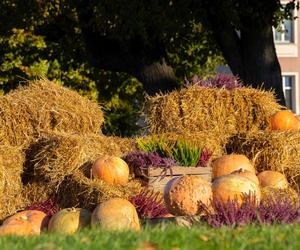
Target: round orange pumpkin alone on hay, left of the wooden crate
111,169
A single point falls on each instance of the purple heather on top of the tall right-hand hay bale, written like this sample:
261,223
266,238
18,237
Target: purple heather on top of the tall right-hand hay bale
226,81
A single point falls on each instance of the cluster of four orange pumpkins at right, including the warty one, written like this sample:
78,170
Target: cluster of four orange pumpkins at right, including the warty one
233,176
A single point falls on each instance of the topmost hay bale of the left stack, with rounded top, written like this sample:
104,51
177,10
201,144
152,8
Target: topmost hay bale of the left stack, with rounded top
43,105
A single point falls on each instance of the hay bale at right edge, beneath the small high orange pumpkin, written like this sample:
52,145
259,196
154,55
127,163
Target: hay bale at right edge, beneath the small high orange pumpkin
270,150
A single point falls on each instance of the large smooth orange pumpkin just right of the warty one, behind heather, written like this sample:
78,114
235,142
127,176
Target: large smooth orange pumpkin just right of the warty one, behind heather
232,186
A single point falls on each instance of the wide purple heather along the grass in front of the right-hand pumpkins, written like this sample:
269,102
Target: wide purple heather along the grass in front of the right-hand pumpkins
271,211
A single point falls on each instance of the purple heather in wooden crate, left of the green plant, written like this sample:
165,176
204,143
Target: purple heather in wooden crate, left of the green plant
142,160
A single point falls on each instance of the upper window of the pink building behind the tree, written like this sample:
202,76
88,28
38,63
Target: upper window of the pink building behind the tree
285,32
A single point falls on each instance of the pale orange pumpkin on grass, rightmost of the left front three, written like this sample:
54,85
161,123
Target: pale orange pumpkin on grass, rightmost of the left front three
116,214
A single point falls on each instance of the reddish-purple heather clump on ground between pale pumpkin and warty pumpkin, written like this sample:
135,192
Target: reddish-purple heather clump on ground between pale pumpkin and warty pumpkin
149,204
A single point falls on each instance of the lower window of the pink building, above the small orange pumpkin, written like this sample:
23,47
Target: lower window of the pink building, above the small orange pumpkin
289,90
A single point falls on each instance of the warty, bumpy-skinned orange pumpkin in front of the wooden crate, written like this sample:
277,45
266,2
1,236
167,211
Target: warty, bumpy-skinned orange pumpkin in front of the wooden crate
184,195
